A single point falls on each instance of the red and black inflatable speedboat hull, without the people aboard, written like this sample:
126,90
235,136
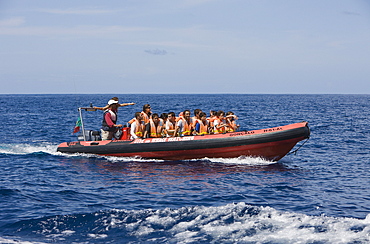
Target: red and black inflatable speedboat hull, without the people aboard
271,144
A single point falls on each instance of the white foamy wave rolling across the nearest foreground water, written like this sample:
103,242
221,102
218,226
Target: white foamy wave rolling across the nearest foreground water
232,223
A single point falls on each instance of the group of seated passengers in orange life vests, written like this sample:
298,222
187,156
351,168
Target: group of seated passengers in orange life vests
145,124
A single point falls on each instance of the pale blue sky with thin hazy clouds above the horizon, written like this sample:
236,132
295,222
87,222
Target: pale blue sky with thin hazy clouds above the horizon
185,46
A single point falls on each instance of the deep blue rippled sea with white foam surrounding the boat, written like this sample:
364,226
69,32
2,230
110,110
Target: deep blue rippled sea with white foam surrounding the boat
319,195
